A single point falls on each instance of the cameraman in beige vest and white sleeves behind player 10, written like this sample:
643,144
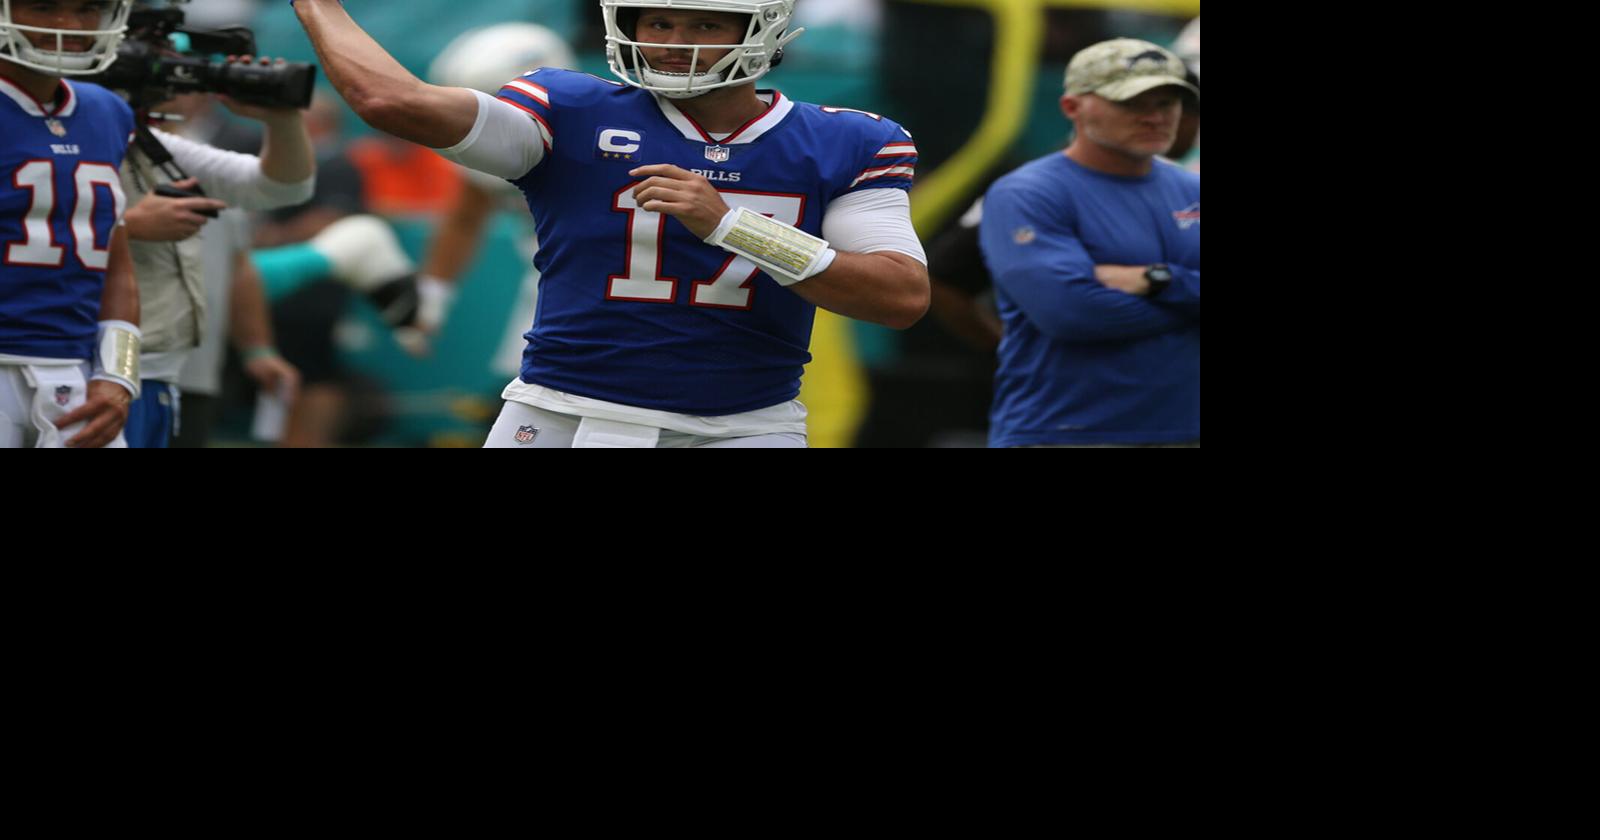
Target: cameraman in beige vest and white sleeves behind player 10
167,246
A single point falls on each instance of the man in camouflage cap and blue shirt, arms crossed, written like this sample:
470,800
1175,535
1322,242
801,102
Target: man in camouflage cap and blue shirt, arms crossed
1097,263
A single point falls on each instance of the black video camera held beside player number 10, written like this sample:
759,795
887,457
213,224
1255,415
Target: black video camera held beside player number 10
150,71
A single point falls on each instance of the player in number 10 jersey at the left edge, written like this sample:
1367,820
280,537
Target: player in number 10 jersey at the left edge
70,310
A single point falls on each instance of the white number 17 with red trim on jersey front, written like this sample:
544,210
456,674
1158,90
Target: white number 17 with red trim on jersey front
734,287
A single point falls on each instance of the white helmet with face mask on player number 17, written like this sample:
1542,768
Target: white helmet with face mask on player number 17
746,62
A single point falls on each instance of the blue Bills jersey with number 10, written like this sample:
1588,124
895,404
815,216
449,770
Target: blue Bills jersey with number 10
60,202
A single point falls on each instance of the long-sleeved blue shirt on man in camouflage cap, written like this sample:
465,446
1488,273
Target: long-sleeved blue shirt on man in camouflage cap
1081,362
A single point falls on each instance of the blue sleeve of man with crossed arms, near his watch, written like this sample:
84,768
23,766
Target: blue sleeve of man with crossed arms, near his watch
1034,254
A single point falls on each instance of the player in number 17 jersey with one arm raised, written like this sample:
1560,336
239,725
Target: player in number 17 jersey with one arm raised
689,223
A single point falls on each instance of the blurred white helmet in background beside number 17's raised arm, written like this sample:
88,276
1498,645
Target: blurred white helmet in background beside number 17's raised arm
487,58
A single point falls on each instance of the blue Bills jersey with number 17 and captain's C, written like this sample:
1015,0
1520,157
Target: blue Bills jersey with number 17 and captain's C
636,310
